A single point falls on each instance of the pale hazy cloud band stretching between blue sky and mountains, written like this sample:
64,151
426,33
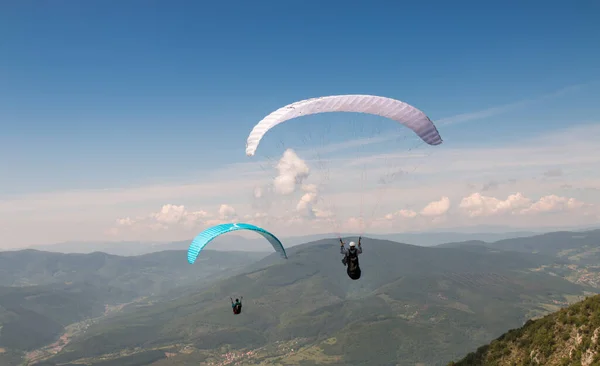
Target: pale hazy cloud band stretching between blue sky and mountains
529,183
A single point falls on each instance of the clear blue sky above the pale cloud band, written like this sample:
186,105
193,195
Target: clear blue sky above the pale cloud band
107,94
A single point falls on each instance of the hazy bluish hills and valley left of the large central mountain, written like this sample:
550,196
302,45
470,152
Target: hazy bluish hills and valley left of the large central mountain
45,292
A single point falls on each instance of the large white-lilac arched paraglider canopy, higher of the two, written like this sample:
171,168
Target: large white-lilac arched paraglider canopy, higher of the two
396,110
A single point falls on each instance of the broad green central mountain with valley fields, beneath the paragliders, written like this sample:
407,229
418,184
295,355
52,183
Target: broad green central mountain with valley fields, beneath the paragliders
413,304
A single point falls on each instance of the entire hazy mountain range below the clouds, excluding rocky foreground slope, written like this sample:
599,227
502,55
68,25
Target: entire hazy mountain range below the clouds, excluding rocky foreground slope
413,304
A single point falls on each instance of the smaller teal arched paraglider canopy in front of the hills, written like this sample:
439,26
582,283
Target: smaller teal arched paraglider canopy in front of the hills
209,234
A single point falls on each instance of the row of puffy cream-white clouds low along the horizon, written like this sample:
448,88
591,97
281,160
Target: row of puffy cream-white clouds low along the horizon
513,209
